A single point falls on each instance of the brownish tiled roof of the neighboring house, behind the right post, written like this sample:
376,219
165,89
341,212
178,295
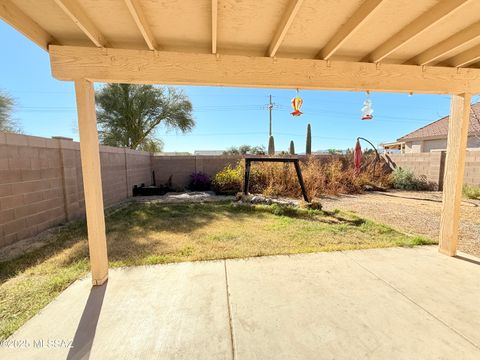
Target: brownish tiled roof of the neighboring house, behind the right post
439,128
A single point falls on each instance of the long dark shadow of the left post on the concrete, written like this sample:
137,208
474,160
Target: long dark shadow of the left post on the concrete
83,339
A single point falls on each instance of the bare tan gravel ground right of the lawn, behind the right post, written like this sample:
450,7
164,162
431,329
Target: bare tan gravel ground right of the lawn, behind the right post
412,212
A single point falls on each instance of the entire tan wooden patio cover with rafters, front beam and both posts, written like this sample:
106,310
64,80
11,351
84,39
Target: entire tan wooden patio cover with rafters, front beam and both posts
422,46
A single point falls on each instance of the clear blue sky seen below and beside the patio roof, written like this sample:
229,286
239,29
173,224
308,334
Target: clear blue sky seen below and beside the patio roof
224,116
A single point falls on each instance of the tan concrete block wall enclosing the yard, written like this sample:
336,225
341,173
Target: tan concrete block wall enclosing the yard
41,179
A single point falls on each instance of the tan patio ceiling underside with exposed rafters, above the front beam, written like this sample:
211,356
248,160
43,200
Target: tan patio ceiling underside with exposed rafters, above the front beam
423,32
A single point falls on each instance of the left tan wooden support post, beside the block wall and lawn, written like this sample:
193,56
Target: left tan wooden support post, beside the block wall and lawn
92,180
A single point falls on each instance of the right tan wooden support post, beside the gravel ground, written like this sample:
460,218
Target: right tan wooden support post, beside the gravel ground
454,170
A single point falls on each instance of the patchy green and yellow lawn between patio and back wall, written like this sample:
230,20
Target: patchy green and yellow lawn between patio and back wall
142,234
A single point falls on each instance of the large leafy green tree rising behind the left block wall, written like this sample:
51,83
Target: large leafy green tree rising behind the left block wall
129,115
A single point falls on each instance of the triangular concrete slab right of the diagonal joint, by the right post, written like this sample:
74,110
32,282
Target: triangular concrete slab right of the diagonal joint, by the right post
447,287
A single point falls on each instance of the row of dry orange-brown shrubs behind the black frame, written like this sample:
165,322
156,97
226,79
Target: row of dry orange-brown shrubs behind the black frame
322,175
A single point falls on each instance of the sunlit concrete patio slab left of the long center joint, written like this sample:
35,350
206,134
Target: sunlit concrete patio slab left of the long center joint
174,311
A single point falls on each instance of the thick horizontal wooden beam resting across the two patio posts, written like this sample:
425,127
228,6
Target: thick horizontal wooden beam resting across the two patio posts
161,67
